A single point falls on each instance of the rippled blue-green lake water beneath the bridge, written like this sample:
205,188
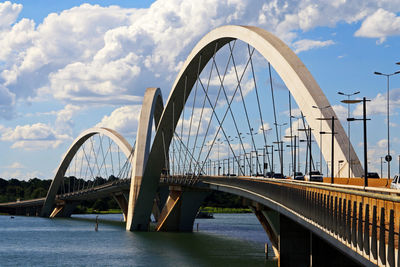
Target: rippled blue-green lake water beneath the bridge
227,240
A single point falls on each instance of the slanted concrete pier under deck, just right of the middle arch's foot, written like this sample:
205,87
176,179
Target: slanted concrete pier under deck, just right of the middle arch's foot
180,209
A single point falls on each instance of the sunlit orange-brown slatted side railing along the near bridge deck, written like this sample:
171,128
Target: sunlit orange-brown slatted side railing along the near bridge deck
366,220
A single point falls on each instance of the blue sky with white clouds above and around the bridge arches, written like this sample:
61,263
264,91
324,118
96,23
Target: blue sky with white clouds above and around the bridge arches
66,66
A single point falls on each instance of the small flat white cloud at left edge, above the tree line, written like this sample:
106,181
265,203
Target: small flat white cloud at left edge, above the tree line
37,136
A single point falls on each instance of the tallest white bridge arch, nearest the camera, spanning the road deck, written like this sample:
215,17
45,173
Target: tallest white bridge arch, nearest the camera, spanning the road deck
295,75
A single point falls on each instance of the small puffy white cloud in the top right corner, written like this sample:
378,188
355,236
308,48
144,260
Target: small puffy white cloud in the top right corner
380,24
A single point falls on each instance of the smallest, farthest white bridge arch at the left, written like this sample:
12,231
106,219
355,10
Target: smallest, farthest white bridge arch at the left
73,149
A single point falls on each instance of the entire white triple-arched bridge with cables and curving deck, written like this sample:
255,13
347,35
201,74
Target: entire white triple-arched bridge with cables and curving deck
212,134
